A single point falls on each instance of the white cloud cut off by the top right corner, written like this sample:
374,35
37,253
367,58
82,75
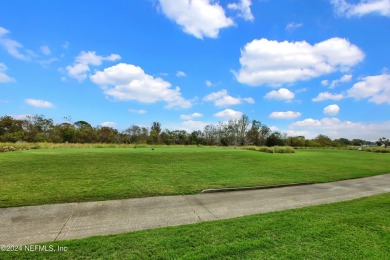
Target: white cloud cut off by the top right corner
364,7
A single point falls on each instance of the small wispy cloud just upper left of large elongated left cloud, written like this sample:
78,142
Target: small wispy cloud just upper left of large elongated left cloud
80,68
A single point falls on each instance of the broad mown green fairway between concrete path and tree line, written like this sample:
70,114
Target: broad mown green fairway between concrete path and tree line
69,175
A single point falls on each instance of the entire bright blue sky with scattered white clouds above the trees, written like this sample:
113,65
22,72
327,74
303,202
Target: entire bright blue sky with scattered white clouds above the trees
300,67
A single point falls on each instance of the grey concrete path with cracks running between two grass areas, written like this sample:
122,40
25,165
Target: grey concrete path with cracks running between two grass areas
33,224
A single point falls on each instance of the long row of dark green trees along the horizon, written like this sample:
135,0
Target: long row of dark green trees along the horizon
237,132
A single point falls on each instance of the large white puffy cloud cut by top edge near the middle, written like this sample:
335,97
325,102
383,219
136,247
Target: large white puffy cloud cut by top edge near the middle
200,18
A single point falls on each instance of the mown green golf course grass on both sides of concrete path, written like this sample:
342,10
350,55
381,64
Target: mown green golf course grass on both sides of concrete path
351,229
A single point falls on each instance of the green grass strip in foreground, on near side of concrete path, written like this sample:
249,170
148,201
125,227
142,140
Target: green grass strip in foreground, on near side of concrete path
358,229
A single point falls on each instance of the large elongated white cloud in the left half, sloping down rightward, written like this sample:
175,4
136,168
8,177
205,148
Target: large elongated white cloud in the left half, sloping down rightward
130,82
